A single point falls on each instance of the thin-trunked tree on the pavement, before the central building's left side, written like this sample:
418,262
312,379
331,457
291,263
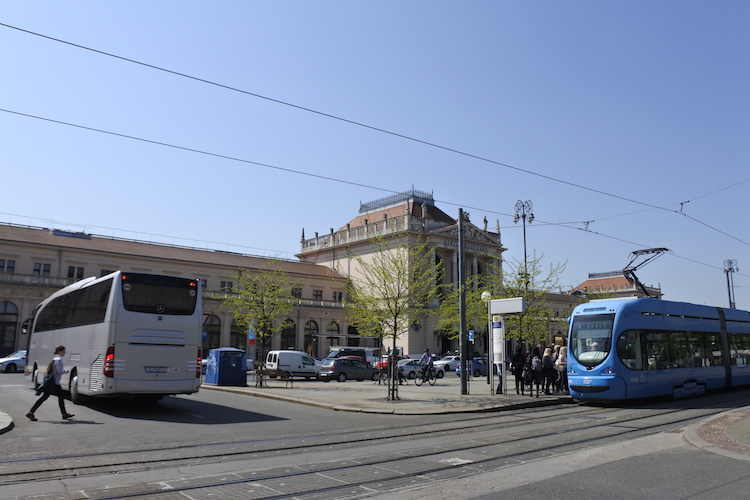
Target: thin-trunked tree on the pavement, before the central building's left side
391,289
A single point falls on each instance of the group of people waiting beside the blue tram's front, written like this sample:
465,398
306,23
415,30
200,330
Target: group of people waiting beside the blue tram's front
547,370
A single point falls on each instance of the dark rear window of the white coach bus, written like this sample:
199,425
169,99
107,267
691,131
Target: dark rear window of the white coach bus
148,293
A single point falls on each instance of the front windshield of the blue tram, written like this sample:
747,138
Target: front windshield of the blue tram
591,338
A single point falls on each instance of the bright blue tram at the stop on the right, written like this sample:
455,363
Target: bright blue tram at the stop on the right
639,348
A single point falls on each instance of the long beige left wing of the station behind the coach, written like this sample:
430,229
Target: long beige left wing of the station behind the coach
36,262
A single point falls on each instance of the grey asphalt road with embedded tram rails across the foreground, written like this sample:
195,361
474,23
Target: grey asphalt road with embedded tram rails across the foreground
219,444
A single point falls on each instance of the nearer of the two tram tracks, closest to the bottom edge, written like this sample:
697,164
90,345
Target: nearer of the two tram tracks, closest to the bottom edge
378,473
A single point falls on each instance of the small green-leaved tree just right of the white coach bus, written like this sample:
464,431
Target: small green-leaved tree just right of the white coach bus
259,300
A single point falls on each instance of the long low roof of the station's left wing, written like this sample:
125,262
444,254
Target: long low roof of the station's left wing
62,239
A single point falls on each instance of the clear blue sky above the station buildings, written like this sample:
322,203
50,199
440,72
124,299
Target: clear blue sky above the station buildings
608,112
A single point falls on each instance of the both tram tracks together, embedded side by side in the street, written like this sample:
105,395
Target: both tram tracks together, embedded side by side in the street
353,463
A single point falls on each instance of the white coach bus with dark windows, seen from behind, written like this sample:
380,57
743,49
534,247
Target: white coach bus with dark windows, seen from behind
125,334
